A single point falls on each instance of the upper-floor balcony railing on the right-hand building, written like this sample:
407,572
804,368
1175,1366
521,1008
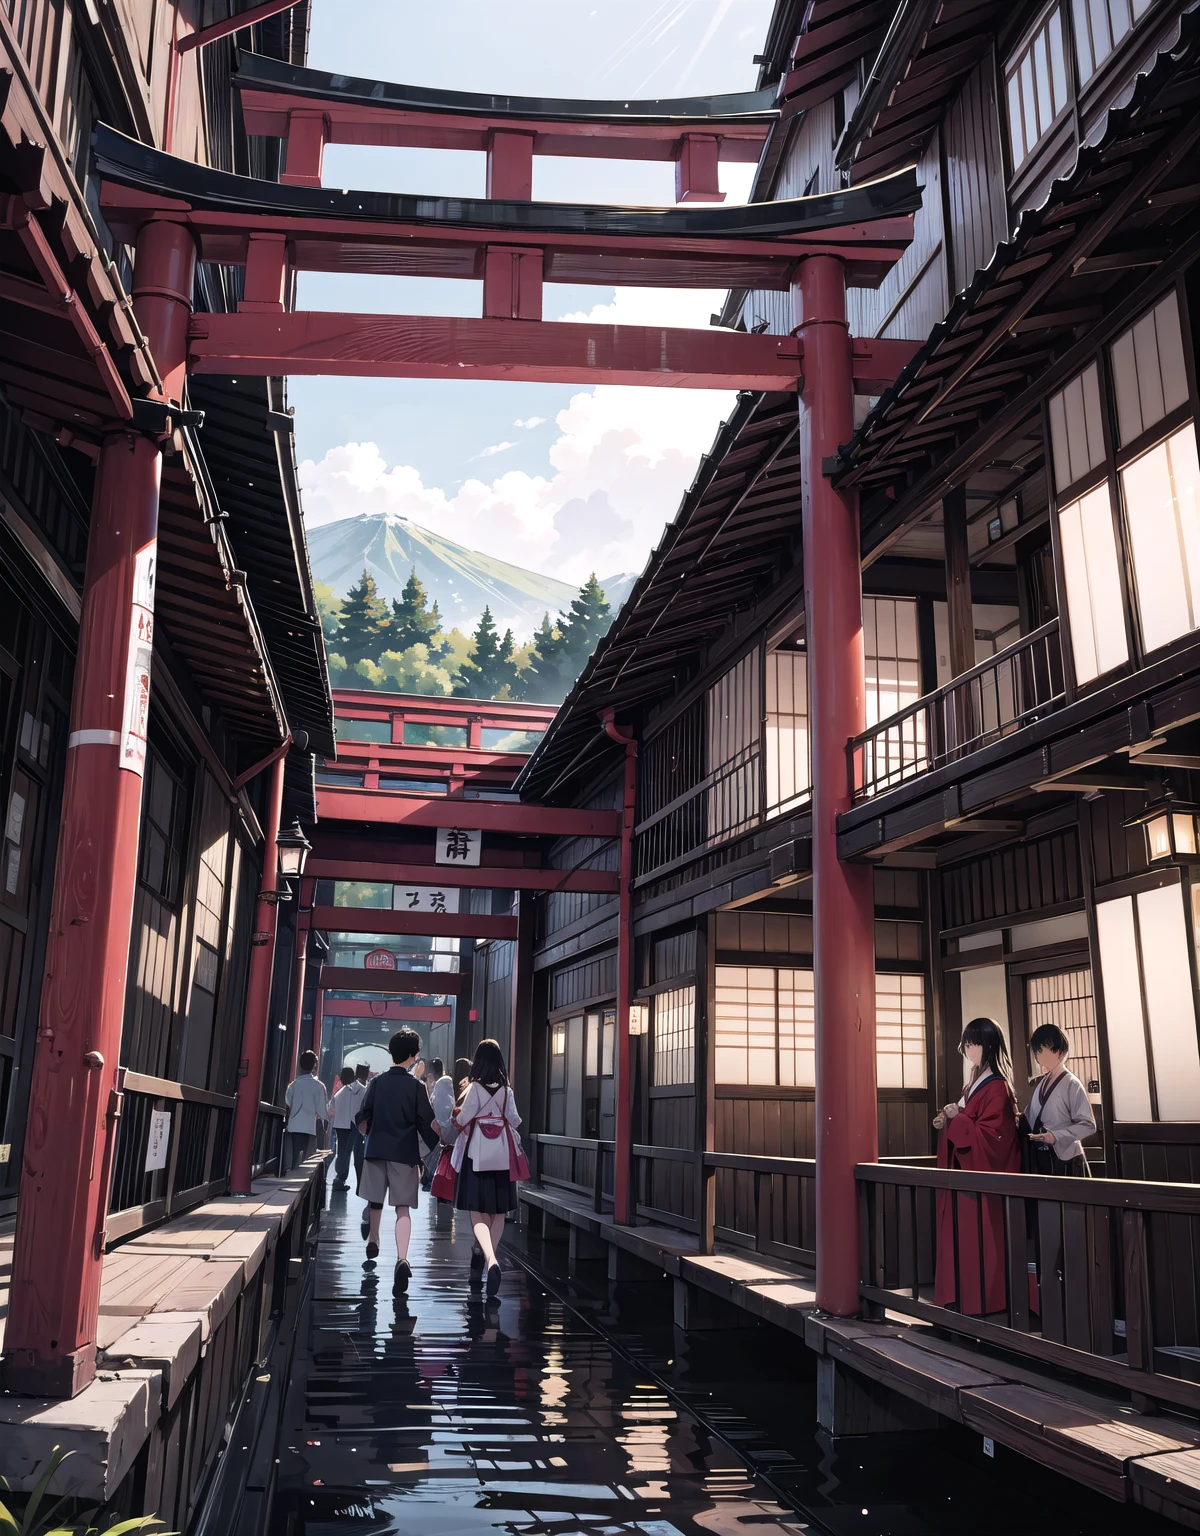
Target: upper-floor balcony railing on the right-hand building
993,700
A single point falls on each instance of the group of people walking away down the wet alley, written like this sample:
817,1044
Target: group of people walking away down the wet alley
379,1122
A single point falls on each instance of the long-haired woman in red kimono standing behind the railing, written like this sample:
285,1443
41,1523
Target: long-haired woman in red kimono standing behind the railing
978,1134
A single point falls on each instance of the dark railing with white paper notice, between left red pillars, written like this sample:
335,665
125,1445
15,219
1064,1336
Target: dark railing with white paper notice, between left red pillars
193,1165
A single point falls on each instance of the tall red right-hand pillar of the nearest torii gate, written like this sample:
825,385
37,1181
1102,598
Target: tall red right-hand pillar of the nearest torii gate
843,893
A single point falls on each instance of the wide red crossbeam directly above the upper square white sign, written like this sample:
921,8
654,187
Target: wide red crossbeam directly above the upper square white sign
486,816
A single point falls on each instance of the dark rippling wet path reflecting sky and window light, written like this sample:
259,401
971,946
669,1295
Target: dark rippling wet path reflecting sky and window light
572,1408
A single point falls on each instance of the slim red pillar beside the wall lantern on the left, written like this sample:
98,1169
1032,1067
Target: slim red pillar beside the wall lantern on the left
254,1030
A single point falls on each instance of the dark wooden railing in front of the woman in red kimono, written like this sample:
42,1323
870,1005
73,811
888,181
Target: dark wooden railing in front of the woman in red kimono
1092,1276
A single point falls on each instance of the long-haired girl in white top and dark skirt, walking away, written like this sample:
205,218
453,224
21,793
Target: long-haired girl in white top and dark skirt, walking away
485,1185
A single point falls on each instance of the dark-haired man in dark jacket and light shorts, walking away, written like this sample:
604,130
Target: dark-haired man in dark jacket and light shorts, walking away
396,1110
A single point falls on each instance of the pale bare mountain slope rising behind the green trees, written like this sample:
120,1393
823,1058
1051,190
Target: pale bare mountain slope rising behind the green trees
460,580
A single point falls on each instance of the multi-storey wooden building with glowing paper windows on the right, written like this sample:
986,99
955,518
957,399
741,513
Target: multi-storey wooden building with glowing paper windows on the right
1029,518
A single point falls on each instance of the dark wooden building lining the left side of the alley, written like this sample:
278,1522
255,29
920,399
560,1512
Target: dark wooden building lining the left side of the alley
239,658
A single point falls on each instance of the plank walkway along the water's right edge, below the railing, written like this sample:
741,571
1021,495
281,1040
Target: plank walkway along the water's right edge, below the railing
1144,1458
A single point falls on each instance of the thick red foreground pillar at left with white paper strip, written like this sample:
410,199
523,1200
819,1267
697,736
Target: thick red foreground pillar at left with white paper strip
50,1343
